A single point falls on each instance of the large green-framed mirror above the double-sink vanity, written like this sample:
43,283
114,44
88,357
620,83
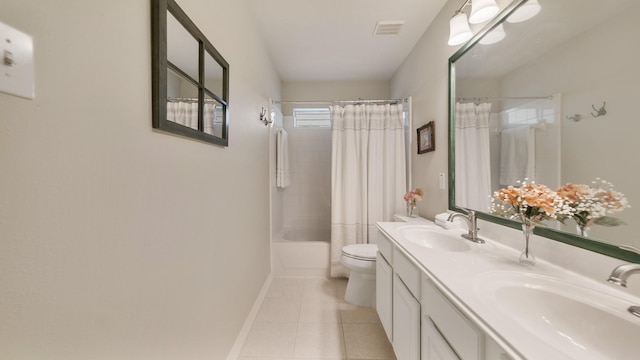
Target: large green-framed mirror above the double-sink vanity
540,92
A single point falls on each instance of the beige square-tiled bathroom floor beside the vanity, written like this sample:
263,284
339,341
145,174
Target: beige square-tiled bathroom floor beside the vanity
307,318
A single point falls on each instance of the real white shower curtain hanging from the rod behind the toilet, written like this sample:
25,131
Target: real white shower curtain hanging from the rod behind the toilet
368,173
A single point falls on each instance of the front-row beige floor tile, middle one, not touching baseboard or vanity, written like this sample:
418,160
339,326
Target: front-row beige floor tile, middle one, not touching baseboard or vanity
319,340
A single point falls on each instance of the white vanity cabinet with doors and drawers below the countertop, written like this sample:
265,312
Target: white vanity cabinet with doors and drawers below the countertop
420,321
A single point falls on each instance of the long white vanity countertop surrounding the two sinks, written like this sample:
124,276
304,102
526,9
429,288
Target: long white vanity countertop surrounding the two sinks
465,278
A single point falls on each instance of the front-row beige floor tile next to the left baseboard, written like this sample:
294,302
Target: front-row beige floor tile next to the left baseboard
270,340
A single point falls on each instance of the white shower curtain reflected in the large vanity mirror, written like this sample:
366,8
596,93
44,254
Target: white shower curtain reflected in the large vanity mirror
473,167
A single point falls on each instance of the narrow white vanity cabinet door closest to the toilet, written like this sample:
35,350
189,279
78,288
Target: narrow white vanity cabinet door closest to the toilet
384,294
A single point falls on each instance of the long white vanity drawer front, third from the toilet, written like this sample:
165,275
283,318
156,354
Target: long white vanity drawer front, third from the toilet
465,339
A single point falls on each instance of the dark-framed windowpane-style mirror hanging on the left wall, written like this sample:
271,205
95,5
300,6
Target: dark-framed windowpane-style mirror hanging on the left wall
190,78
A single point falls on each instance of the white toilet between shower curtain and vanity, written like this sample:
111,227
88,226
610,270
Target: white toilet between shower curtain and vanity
361,259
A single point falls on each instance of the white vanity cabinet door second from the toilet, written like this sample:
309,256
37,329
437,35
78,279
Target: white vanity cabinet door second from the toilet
406,322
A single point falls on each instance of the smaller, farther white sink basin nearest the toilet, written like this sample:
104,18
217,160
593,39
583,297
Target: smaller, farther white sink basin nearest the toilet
433,238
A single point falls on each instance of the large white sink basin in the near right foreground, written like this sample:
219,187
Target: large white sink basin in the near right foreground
581,322
